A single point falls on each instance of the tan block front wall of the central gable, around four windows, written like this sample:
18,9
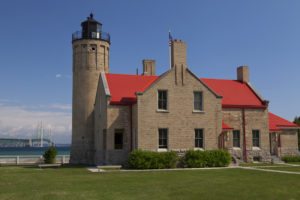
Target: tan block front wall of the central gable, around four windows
180,119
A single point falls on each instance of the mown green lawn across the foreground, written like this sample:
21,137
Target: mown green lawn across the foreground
78,183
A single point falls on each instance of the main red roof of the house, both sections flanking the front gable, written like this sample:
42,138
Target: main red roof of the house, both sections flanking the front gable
235,94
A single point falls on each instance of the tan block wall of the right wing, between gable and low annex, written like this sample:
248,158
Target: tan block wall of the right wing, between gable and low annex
256,119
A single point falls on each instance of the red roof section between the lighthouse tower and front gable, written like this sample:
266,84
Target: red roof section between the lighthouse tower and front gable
123,87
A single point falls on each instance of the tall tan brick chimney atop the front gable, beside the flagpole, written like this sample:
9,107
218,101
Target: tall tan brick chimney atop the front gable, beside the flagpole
178,53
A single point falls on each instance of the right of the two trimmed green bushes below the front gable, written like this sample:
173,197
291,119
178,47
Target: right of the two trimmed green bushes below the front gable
213,158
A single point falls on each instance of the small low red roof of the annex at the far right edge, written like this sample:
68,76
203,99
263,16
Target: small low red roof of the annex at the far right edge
276,123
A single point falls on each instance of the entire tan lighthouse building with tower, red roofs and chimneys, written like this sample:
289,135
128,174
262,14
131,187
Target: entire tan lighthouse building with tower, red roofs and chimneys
114,114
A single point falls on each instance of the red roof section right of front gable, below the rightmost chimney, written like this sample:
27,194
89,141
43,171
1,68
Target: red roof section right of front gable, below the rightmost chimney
235,93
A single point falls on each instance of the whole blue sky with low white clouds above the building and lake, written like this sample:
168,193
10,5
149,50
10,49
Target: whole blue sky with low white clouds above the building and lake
36,53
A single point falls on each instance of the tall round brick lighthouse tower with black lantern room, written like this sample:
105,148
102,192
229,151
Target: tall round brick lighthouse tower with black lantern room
90,58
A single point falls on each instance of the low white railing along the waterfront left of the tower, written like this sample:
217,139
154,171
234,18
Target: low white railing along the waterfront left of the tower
30,159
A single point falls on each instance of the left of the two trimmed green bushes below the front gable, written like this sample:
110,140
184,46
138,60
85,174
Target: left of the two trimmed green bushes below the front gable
139,159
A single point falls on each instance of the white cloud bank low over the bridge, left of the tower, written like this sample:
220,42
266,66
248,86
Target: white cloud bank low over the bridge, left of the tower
20,122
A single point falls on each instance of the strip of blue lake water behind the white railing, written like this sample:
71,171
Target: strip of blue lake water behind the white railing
32,151
